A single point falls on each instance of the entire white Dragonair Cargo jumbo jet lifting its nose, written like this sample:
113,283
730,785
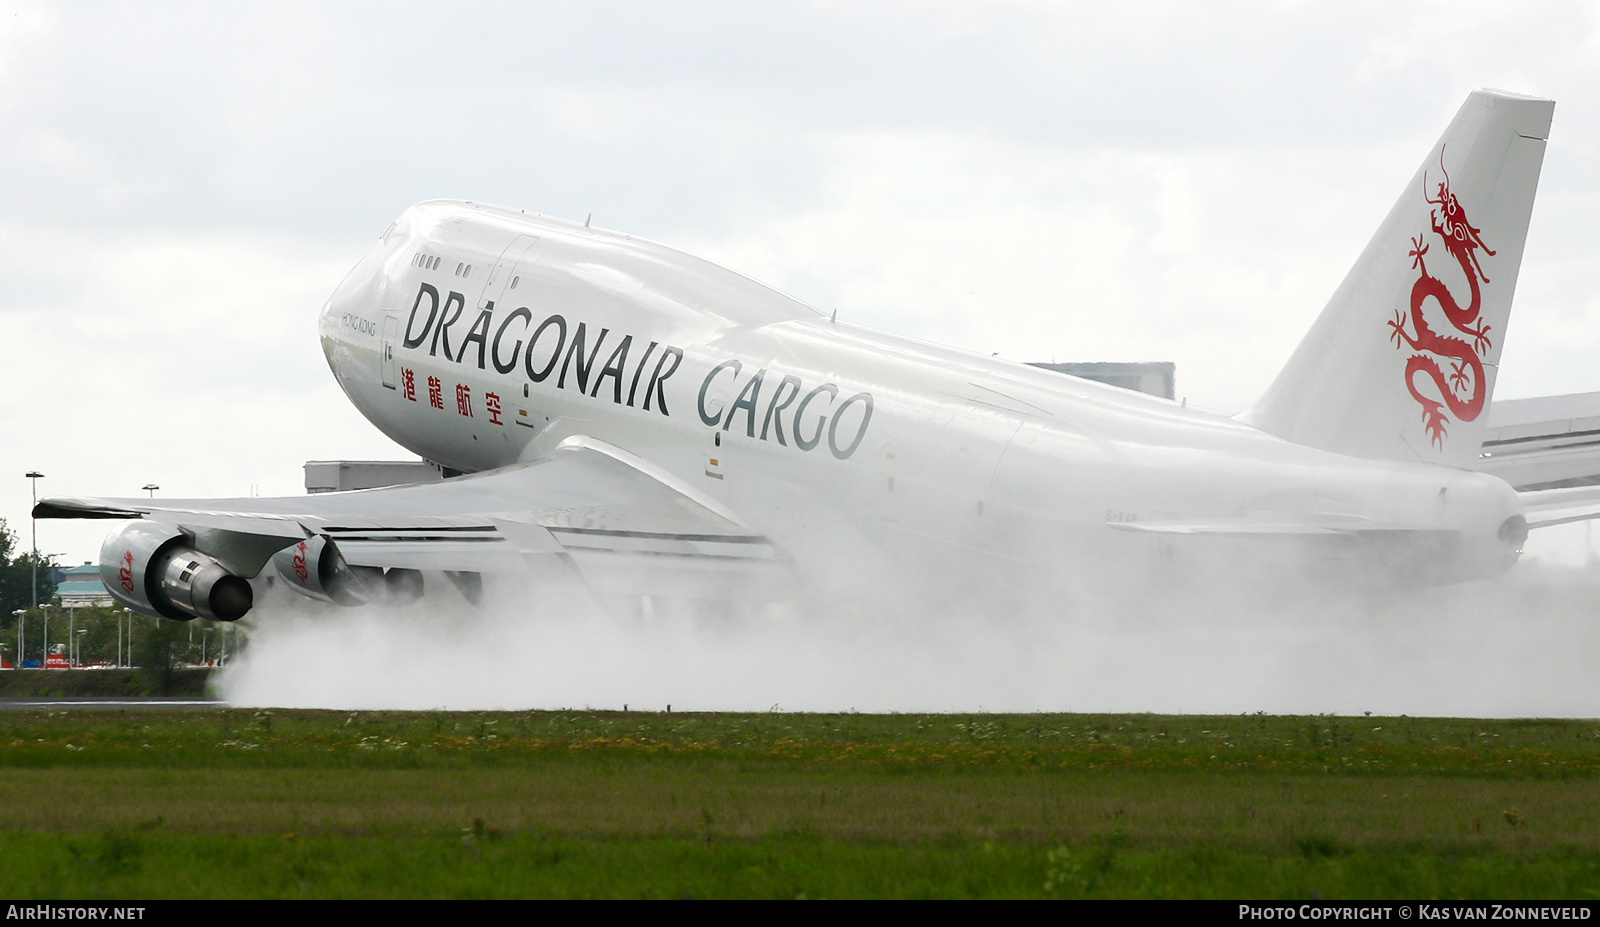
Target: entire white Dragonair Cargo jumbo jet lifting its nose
622,415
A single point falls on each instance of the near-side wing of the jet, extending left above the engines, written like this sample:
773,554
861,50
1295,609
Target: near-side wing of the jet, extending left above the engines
623,524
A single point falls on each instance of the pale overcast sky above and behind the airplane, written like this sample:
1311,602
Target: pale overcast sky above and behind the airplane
182,187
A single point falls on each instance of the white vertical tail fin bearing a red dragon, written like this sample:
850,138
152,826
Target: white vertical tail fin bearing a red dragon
1402,361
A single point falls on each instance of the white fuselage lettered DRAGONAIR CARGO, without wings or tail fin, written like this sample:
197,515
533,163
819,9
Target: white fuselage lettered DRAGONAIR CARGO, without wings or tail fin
481,337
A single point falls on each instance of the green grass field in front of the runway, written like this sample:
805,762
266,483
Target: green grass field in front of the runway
290,805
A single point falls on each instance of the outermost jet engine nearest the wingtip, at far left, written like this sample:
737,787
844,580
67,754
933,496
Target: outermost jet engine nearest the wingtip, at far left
156,571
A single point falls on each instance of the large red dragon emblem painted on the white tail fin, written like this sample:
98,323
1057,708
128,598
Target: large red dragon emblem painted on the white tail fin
1463,390
